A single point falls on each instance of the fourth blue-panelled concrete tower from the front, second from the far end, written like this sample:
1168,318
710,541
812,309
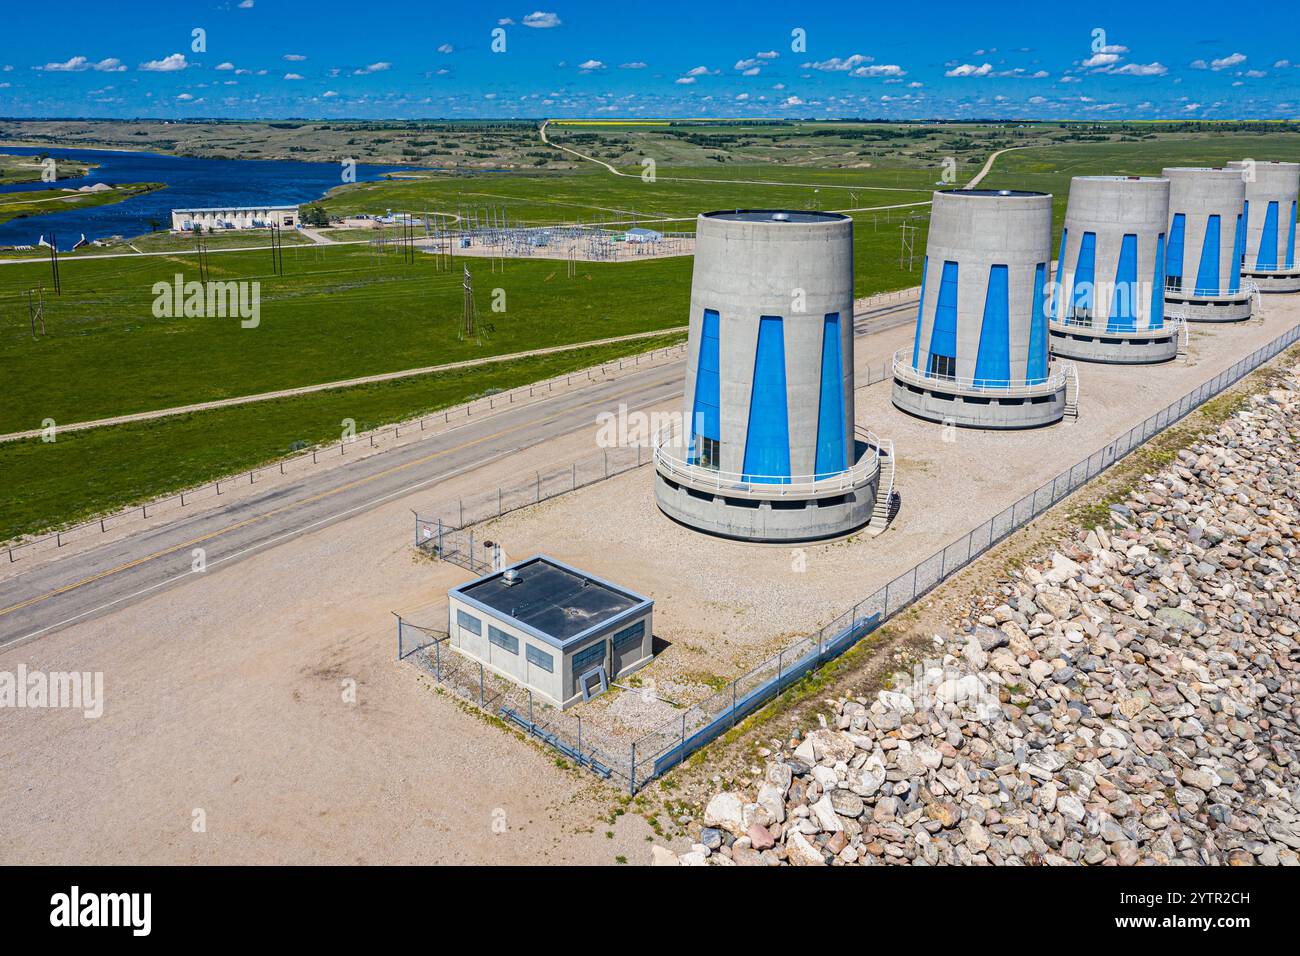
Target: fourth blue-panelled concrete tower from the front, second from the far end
1207,245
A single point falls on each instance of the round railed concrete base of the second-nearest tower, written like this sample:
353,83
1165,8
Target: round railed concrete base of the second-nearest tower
951,404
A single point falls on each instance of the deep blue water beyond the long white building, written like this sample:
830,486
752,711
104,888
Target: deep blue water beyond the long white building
190,183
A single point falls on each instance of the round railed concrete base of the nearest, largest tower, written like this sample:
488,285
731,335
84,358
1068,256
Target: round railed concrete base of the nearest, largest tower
729,507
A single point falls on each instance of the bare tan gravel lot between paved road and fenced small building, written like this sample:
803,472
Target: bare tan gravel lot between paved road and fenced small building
226,695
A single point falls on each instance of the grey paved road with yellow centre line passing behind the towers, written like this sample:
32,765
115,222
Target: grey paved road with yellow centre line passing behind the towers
64,592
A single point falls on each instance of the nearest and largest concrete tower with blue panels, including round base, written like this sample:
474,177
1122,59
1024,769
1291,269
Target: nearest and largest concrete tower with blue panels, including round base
768,448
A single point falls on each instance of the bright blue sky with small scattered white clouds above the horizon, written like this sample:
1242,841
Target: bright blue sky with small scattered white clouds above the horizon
263,59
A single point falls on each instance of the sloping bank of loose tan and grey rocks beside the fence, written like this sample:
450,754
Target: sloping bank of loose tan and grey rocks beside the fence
1129,698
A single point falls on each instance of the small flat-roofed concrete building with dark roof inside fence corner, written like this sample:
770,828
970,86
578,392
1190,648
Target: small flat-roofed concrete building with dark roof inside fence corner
558,631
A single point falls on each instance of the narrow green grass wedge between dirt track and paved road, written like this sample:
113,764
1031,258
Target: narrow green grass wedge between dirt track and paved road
85,474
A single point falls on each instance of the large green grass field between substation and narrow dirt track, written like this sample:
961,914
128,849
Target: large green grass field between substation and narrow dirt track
332,317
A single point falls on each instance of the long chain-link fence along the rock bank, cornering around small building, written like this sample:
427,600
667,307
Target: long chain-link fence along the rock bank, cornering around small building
636,762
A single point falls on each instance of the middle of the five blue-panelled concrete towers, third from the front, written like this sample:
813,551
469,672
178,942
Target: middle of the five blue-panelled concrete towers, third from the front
1110,296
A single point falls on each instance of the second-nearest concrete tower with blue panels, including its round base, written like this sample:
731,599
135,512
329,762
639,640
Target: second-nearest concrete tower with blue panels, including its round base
981,356
